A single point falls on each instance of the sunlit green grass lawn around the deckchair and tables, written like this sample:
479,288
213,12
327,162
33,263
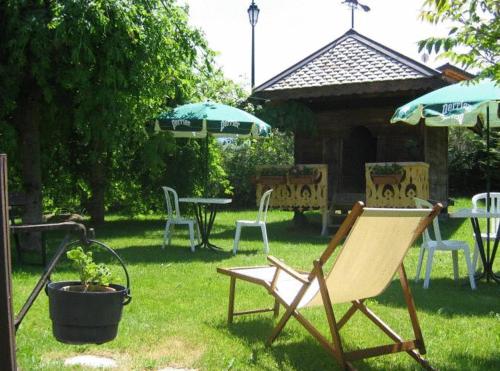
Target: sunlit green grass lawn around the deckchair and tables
178,313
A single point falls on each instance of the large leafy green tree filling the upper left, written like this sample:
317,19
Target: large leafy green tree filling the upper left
79,79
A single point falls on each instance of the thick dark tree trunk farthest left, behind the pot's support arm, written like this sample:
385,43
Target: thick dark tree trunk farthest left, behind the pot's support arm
27,120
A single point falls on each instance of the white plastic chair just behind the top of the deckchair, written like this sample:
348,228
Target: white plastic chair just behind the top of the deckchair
440,244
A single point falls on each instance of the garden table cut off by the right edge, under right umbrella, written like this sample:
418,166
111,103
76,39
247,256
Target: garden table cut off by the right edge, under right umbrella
488,255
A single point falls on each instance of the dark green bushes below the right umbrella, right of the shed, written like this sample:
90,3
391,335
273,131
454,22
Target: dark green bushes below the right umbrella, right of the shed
467,160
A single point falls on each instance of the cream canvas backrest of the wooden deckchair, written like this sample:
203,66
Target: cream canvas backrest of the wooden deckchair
372,252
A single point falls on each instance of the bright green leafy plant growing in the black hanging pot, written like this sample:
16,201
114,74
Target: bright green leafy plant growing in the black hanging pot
91,274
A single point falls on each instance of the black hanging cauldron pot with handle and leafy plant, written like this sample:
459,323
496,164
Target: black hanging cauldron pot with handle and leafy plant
89,310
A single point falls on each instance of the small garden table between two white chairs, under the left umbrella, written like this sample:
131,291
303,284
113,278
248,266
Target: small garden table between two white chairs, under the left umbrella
205,211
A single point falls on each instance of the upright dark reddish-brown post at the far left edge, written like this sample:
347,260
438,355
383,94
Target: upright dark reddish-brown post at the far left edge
7,332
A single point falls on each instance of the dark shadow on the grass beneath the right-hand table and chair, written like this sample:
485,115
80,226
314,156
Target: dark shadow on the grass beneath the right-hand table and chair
446,297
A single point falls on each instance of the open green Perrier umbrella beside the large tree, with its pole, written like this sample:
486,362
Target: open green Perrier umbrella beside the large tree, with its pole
198,120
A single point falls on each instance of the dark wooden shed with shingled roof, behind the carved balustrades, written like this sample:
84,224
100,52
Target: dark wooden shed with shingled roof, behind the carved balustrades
353,86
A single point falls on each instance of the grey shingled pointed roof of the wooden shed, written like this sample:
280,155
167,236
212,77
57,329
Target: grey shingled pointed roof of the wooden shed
350,59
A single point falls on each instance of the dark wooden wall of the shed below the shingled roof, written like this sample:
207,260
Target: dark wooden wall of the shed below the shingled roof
332,144
